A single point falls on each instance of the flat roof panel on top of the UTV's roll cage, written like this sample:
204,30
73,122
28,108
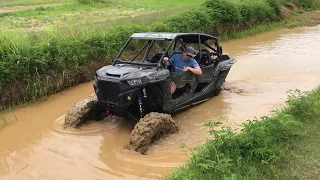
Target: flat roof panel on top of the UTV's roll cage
169,36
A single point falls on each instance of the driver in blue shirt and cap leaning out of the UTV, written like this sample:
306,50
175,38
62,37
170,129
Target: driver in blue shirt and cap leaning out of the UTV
183,62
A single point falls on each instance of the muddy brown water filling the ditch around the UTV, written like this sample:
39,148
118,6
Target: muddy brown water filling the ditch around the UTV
35,146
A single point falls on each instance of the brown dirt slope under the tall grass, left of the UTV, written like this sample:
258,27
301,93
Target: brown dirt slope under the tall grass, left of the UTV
52,82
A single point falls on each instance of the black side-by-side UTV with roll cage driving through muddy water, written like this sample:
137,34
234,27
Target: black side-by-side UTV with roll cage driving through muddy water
138,82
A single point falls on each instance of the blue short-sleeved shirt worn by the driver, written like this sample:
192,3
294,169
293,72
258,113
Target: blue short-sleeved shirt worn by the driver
177,61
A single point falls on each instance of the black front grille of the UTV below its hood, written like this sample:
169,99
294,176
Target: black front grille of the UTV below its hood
110,90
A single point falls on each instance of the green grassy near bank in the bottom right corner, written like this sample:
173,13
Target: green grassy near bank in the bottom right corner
282,146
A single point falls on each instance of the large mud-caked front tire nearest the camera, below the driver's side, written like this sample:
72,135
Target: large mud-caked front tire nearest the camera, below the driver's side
150,128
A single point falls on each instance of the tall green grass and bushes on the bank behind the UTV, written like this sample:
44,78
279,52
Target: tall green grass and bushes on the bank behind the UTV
33,66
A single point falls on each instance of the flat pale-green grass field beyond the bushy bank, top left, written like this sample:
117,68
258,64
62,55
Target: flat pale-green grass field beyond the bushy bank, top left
101,13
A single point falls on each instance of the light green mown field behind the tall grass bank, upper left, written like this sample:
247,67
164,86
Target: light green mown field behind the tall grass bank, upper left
73,13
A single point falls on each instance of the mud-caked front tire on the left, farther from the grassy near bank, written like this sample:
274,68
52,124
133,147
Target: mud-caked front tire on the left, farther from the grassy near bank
80,111
